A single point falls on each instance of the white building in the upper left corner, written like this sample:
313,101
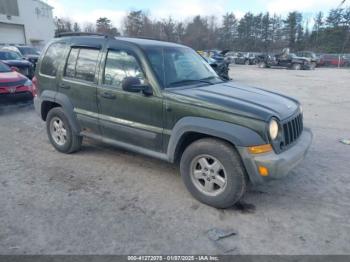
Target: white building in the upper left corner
26,22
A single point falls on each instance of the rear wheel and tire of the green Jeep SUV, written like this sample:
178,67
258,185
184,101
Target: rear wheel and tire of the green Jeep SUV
62,138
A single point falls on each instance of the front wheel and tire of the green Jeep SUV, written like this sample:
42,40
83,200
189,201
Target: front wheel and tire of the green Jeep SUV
229,172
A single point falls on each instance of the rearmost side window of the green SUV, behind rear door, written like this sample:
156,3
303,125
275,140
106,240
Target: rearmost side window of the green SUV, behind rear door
50,62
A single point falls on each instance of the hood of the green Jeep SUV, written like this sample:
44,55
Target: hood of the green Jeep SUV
239,99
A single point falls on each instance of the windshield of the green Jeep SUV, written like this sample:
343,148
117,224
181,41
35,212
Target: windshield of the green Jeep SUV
179,65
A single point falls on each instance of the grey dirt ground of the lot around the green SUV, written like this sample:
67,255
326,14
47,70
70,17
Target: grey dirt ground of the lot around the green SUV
104,200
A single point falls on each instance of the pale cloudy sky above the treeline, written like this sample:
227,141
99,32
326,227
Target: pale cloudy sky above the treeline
83,11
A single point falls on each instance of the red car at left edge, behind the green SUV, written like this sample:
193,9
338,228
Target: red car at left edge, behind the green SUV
14,85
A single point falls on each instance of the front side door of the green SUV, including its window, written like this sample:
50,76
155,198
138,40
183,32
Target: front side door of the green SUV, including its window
127,117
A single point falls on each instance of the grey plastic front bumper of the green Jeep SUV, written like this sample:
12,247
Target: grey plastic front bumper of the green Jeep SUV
279,165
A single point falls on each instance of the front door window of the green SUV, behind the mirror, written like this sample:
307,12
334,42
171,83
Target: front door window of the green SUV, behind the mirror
120,65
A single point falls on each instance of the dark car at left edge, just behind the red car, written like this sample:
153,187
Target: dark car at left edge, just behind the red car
17,62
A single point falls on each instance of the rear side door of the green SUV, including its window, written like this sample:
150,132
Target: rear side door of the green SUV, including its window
79,83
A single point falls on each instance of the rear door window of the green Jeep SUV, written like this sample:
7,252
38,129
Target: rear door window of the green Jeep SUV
81,64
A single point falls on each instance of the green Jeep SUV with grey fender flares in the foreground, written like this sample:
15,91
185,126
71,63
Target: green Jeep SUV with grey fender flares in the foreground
163,100
